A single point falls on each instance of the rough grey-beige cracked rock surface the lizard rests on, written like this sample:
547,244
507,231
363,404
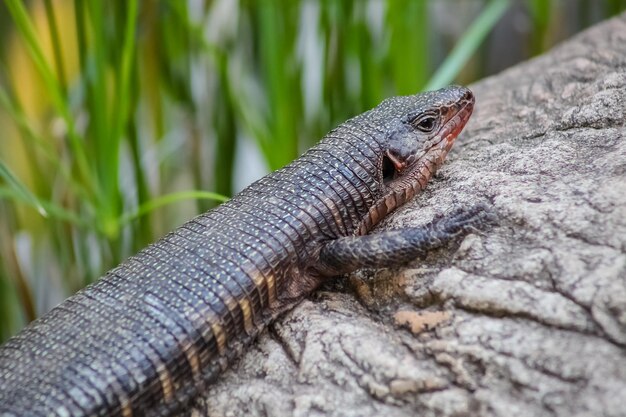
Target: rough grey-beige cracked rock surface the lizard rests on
526,318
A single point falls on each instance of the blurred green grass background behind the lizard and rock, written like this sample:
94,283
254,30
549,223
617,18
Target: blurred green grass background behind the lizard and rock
119,120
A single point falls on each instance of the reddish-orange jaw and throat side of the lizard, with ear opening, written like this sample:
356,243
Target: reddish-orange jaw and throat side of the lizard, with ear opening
404,179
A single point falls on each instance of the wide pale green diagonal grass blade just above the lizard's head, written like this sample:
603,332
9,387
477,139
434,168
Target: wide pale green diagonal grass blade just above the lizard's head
468,44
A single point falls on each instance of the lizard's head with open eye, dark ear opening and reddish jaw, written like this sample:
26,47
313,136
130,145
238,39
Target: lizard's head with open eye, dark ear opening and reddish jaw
416,134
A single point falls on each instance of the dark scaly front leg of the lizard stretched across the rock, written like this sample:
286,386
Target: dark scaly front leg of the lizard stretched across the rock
397,247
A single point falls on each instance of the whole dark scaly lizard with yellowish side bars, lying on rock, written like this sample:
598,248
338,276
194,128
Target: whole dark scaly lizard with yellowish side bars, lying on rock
154,332
